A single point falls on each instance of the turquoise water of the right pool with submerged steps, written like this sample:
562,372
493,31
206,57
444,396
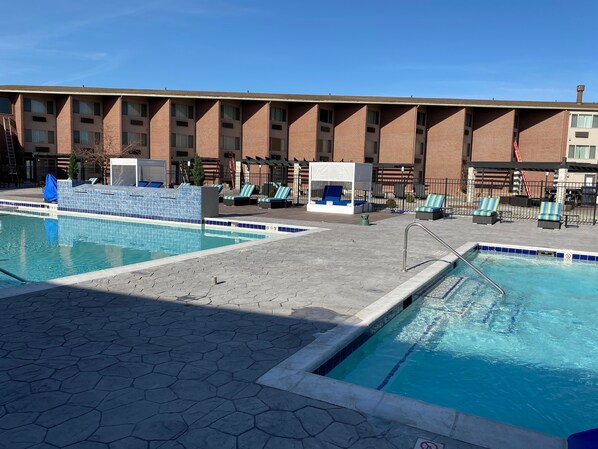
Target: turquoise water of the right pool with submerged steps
529,358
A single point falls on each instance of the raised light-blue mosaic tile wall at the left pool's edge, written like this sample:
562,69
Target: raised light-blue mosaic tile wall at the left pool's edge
186,204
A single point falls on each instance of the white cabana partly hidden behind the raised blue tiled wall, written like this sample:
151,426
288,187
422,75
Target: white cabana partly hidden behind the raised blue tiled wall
129,171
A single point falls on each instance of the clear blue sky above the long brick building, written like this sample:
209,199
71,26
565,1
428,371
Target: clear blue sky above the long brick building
502,49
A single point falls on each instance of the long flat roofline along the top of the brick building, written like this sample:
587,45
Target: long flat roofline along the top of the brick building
297,98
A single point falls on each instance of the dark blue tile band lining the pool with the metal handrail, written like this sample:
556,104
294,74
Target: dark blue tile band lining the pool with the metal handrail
328,365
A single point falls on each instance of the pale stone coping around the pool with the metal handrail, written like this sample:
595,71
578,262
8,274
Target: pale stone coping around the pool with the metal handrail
295,374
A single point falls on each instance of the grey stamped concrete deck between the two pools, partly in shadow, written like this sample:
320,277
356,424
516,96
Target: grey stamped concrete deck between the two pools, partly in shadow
161,358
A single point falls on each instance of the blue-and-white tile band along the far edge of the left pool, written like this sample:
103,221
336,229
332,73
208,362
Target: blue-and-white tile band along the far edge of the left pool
215,222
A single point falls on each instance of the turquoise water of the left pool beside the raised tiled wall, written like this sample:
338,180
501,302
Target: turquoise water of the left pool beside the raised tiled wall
38,249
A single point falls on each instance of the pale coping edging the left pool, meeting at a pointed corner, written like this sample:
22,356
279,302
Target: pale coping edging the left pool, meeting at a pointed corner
271,231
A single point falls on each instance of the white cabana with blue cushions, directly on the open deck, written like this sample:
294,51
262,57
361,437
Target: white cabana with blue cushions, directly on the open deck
332,187
